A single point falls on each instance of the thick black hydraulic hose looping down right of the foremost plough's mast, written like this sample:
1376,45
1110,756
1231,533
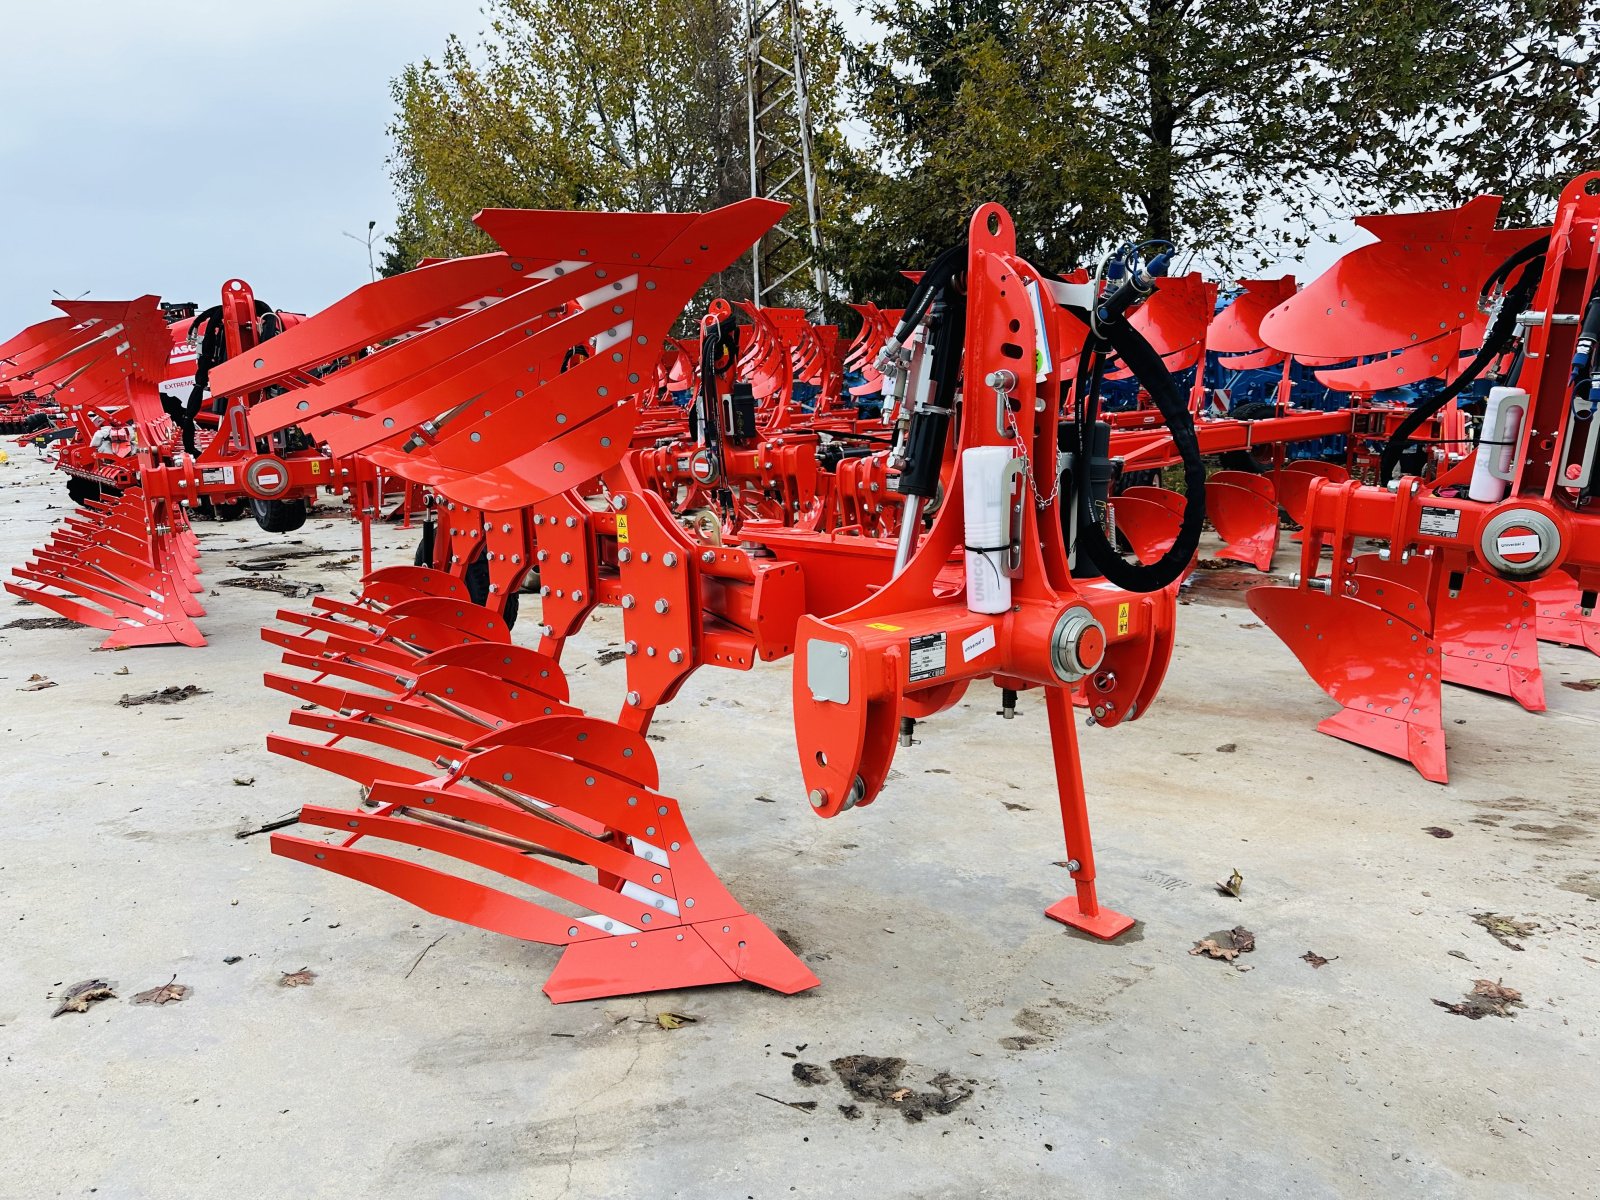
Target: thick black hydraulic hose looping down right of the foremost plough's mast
1140,358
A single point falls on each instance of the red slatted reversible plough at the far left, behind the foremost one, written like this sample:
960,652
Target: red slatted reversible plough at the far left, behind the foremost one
118,394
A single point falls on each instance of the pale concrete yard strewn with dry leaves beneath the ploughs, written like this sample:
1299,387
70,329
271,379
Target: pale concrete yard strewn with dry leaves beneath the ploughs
425,1060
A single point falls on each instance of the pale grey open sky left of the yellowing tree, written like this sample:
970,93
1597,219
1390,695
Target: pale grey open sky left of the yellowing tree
170,146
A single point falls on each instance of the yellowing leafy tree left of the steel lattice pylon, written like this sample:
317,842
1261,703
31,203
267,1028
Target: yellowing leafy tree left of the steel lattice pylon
569,105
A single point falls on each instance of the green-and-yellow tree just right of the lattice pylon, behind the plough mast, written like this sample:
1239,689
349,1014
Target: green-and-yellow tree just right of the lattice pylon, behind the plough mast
964,102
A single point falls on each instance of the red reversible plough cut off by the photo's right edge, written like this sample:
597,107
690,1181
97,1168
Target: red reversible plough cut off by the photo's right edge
1486,550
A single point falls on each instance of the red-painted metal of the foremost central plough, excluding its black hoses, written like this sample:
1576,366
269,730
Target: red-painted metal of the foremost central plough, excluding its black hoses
474,754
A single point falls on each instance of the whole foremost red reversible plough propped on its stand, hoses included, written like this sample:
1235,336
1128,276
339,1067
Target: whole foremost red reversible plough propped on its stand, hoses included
522,420
